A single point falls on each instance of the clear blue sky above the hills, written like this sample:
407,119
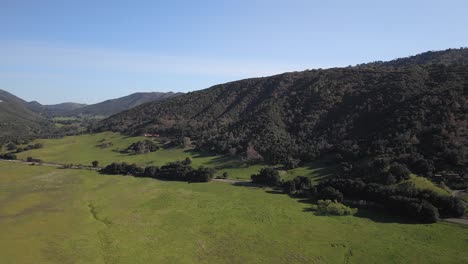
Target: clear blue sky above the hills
89,51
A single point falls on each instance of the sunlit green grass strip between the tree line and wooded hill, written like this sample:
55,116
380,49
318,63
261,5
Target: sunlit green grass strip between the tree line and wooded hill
84,149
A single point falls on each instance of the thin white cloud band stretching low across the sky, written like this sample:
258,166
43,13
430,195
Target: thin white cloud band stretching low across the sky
43,55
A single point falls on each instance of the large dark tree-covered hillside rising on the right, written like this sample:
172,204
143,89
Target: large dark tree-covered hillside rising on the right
412,109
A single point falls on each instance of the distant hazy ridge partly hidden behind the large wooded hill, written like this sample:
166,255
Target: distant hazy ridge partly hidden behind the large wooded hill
114,106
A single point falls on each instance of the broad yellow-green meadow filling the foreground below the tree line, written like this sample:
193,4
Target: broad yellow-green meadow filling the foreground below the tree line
51,215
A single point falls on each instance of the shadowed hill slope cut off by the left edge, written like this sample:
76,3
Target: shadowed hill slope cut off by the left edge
17,121
